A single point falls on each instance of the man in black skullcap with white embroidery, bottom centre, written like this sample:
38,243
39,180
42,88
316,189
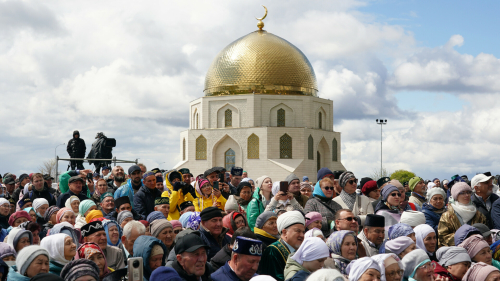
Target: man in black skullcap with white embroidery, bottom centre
245,257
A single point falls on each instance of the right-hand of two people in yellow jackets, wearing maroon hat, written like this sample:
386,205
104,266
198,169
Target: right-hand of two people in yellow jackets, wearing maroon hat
209,196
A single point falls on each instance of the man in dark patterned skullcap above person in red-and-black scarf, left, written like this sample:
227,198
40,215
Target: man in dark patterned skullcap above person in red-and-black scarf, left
94,232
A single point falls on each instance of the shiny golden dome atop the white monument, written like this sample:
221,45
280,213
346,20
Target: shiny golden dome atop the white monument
261,63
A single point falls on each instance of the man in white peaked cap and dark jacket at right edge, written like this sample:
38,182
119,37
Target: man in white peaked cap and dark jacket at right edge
483,196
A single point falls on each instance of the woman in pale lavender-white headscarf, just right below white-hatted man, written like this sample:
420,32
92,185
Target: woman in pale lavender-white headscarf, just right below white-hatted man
310,257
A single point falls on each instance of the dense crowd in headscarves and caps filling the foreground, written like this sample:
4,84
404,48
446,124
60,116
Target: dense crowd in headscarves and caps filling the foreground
223,225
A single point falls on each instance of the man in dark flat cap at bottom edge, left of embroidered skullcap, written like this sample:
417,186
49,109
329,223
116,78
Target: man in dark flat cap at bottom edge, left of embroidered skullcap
191,254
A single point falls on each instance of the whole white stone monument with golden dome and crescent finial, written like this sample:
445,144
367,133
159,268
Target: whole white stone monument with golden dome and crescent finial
261,112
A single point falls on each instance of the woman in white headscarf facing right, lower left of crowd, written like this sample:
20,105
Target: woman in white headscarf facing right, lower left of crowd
61,250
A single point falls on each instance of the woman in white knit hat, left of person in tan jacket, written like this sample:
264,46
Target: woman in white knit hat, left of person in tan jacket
435,207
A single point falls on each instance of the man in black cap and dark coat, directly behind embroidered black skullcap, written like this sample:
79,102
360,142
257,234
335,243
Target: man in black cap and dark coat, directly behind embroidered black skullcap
211,230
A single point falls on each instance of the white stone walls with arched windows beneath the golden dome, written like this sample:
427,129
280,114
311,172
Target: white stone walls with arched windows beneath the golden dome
258,114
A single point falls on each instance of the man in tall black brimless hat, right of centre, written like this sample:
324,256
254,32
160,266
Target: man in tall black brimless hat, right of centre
373,234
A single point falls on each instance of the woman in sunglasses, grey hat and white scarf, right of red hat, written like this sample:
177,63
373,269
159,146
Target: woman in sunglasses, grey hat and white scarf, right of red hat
388,207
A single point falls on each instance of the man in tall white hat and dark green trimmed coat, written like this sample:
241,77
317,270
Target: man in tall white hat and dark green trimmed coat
291,225
